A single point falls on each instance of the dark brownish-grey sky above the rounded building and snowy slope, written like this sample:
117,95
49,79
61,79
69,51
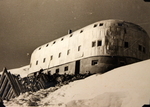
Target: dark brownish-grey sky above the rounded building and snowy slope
27,24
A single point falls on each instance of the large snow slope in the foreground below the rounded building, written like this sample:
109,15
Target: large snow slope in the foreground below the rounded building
126,86
